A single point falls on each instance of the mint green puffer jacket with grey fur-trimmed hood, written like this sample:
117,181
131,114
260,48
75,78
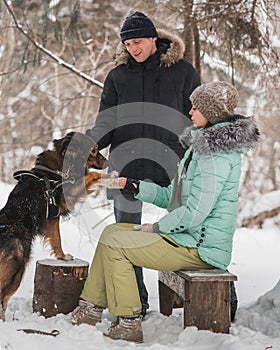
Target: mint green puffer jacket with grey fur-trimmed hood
206,217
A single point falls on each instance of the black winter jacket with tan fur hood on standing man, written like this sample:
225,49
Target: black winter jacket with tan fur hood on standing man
144,107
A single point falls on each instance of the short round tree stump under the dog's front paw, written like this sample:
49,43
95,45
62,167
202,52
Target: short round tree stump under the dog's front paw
58,285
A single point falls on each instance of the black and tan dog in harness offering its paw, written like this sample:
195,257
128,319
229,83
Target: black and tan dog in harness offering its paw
60,178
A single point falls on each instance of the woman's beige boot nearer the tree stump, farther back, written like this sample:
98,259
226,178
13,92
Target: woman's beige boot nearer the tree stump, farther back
86,312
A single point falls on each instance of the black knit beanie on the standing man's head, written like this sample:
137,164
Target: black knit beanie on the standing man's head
137,25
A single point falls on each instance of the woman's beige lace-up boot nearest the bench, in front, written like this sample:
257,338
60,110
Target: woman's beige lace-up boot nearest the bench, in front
129,329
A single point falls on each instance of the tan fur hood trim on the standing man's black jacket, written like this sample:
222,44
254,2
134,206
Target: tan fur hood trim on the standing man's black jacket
174,53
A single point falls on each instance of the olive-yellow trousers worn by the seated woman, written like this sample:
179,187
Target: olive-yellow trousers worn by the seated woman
111,282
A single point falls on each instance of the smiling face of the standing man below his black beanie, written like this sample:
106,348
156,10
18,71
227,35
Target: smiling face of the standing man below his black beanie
141,48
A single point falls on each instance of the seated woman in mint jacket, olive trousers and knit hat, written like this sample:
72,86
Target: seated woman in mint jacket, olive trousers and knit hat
197,233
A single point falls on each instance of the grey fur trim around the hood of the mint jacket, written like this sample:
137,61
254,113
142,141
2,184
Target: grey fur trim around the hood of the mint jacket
237,134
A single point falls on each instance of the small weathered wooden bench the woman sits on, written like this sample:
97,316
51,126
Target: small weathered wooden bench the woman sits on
204,295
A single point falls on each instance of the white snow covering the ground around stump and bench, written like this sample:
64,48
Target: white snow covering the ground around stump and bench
255,260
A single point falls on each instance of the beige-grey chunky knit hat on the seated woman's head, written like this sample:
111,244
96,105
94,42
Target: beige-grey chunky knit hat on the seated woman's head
216,100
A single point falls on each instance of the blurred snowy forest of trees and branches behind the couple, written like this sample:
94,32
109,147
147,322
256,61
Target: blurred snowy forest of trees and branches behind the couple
55,54
